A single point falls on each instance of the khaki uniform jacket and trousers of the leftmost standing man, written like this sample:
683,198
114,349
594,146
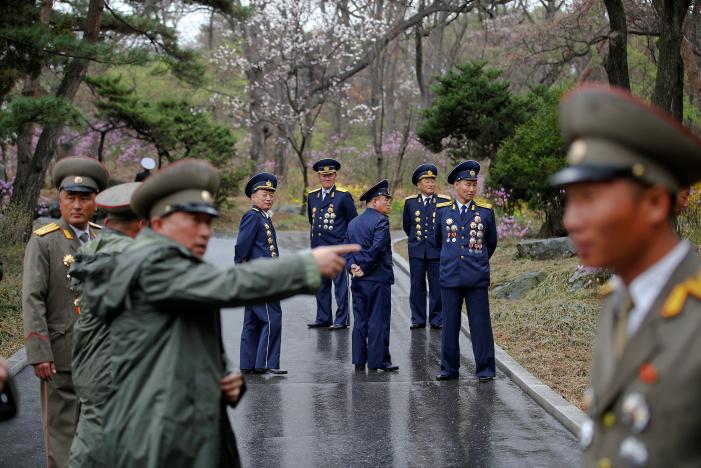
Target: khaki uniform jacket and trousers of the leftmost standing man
49,313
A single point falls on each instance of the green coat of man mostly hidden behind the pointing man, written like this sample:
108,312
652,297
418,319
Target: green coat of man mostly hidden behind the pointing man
91,352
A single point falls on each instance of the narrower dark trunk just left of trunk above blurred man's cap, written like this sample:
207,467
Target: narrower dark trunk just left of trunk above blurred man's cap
616,63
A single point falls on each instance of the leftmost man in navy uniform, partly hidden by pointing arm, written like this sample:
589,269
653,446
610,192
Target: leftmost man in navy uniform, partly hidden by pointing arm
262,324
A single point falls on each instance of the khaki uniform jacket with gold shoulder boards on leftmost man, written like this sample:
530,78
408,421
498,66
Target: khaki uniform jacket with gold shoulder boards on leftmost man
47,302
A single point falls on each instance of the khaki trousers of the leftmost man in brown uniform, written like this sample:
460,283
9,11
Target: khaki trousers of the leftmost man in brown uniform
60,409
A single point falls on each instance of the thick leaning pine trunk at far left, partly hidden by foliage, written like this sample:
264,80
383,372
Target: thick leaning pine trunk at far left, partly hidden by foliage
31,174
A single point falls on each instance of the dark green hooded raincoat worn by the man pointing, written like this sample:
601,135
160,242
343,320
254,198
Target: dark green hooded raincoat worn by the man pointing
162,304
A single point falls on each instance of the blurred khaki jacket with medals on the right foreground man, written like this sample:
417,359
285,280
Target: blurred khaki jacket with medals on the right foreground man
648,405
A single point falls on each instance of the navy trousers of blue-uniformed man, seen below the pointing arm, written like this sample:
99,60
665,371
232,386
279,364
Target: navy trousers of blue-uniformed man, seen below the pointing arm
261,336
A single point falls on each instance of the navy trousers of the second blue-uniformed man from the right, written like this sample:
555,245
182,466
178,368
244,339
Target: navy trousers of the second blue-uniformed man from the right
419,269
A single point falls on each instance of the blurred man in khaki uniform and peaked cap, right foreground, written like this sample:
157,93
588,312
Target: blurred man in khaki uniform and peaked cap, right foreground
626,162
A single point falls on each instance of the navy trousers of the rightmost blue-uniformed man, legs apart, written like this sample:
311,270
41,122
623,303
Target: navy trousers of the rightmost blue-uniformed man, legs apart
477,302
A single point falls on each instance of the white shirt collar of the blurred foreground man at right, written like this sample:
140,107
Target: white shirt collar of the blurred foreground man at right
647,286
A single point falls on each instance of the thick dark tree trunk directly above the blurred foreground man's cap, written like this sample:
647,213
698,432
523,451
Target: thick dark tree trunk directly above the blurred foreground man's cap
668,82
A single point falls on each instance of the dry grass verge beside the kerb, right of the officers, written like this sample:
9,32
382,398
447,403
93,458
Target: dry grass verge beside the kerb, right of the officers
551,330
